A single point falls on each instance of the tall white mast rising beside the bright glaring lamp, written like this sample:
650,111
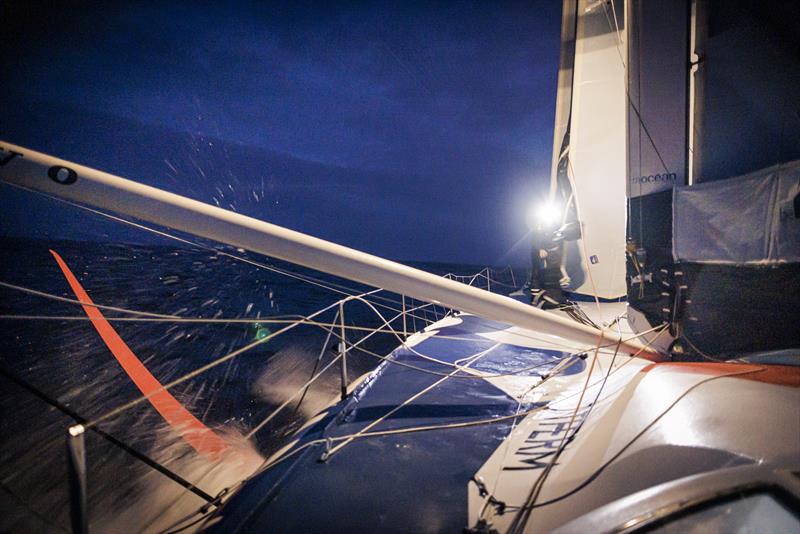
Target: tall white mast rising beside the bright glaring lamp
590,164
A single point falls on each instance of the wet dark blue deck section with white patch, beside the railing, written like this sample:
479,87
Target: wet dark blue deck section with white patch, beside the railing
400,452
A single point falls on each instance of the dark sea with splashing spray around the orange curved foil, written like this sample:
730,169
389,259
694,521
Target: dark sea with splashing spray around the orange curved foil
51,347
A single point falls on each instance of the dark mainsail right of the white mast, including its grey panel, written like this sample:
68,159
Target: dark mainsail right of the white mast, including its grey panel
713,227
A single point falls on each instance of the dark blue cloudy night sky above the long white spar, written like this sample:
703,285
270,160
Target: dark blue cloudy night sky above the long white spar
415,131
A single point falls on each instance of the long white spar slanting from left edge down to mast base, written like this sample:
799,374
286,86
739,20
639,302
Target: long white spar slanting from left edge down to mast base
64,179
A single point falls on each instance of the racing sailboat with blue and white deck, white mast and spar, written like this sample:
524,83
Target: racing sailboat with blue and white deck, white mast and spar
650,400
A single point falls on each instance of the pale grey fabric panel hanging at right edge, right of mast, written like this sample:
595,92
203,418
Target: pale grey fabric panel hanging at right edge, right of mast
747,219
